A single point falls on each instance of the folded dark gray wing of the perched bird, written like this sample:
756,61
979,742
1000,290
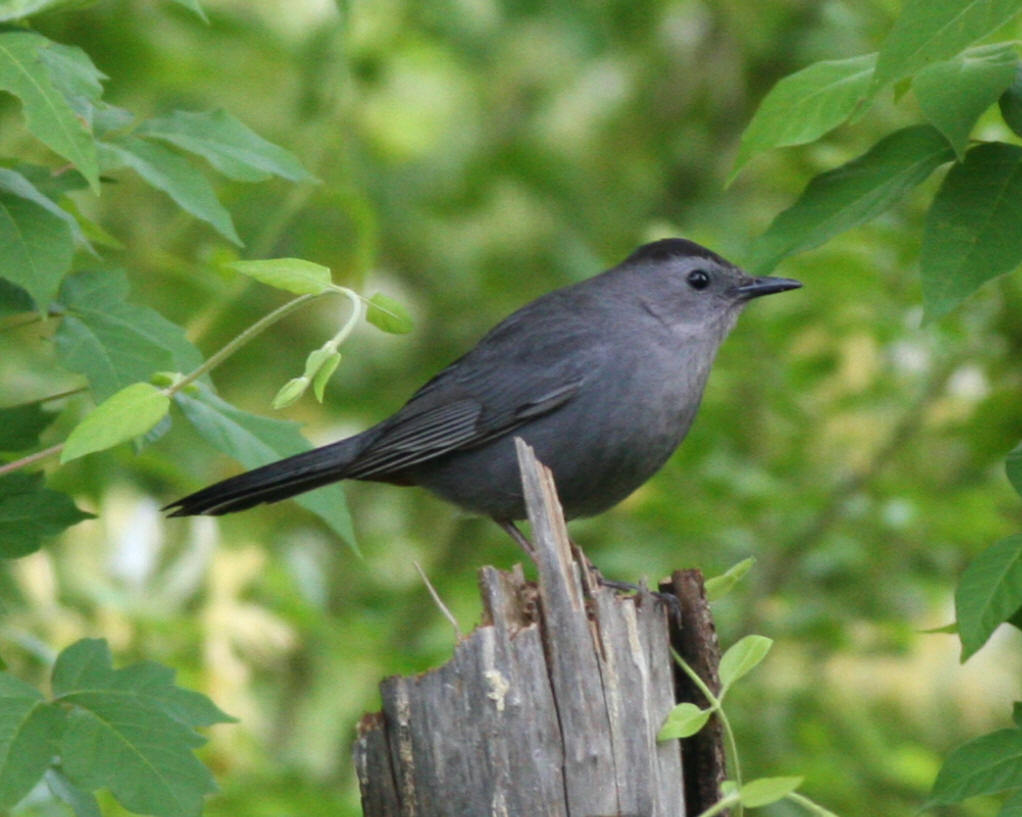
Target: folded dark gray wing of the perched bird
528,367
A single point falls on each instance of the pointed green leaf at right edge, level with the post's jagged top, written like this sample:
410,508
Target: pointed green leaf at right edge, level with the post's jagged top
989,594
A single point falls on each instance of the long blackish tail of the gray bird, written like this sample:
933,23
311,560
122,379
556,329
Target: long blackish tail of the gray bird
272,483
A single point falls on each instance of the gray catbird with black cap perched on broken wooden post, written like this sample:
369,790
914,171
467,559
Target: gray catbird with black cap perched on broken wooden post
602,379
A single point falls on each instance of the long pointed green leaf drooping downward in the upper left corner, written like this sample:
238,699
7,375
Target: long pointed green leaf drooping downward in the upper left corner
48,113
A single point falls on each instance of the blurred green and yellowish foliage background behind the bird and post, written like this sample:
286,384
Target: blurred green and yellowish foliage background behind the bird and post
474,155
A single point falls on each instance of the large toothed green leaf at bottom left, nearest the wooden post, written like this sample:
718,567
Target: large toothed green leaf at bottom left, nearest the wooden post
122,737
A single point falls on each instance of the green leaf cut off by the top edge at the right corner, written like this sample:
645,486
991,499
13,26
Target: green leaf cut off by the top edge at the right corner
928,31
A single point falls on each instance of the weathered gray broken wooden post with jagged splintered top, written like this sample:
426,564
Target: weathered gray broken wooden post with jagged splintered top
550,708
